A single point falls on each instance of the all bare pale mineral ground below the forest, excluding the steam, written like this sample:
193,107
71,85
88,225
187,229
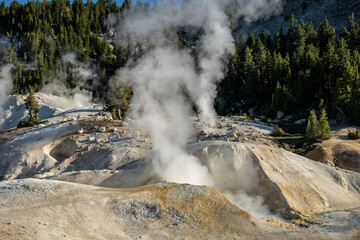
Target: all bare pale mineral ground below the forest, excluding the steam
85,176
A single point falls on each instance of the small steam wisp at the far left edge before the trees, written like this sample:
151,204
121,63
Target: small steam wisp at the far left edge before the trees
5,84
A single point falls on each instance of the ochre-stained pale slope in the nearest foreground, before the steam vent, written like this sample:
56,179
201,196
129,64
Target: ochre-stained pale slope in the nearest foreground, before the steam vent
41,209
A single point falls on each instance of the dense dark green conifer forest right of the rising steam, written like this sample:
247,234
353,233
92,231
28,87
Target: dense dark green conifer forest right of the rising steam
295,71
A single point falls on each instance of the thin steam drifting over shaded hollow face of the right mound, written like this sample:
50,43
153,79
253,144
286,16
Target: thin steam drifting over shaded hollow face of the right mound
236,174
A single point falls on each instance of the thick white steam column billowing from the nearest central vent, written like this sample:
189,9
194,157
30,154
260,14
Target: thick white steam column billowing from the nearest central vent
160,106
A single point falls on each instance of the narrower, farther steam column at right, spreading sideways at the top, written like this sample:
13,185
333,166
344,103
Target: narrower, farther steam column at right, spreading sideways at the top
161,23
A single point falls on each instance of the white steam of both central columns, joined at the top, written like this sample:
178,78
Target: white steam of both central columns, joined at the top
165,82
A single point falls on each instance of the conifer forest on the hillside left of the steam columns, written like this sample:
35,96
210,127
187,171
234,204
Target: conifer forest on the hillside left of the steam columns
40,32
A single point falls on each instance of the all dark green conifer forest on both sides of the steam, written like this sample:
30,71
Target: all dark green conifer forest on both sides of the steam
294,70
